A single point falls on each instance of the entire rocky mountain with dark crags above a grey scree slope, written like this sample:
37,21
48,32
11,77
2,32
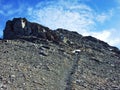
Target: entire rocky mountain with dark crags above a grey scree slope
34,57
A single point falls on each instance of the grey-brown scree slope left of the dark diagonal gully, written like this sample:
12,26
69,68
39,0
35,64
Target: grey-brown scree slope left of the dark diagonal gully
24,68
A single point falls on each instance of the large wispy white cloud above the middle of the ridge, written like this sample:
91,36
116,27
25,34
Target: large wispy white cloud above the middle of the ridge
71,16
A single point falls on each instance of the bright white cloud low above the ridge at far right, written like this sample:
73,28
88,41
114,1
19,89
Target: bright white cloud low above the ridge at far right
110,36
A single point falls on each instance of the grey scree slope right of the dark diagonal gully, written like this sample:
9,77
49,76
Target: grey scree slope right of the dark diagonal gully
96,73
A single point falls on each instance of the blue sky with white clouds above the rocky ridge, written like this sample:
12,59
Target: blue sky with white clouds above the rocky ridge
98,18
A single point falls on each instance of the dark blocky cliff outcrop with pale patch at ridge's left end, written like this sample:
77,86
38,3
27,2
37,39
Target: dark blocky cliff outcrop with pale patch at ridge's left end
20,27
